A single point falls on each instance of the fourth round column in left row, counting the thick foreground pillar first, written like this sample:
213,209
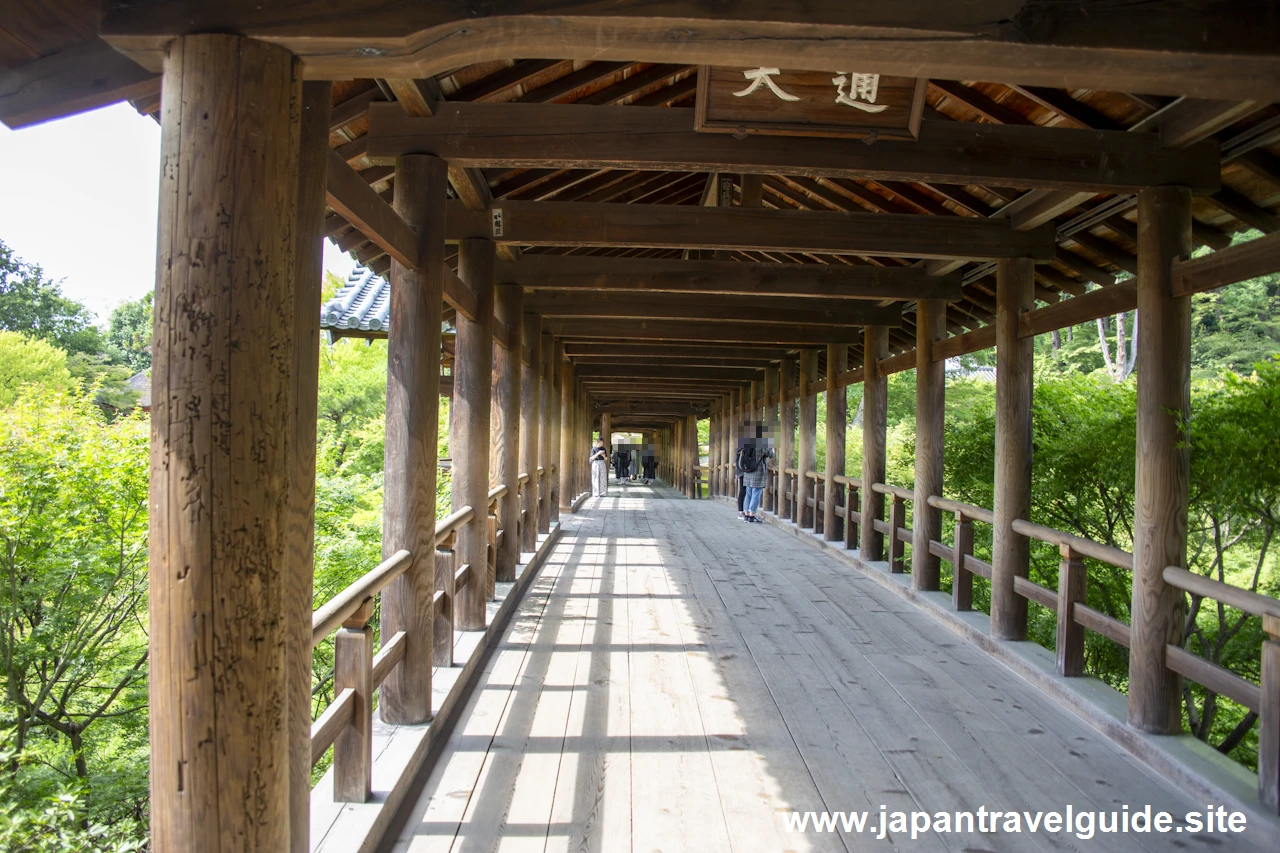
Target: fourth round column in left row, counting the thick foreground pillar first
506,426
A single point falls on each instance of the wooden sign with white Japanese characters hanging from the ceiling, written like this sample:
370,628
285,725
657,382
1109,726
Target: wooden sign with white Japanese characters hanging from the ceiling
771,101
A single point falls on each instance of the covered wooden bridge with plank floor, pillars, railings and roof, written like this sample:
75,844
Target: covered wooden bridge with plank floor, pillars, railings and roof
636,217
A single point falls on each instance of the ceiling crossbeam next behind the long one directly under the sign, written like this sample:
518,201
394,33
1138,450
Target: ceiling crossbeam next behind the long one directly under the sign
586,225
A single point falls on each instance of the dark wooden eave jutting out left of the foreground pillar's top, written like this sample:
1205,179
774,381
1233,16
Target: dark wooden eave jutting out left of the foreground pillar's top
74,81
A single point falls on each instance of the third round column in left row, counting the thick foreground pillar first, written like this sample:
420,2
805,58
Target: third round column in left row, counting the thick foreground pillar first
469,428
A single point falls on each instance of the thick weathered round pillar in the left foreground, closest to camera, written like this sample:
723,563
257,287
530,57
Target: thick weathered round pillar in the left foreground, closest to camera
222,444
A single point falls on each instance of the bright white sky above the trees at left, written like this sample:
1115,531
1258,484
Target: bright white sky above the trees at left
79,197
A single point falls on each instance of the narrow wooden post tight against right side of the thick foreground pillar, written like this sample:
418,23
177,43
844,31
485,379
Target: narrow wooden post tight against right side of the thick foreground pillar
309,266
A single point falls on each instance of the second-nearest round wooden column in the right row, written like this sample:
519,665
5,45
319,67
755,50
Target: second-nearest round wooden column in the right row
1016,294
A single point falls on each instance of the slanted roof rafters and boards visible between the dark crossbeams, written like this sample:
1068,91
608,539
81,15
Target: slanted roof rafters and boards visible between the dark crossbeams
1095,235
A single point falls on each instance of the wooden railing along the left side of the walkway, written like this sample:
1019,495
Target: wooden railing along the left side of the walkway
348,723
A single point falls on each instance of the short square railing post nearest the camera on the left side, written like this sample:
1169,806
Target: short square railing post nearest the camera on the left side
354,668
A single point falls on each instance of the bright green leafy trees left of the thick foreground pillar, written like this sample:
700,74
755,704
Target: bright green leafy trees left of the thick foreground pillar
74,521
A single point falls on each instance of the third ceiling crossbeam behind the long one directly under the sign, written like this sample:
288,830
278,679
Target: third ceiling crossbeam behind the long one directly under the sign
712,309
